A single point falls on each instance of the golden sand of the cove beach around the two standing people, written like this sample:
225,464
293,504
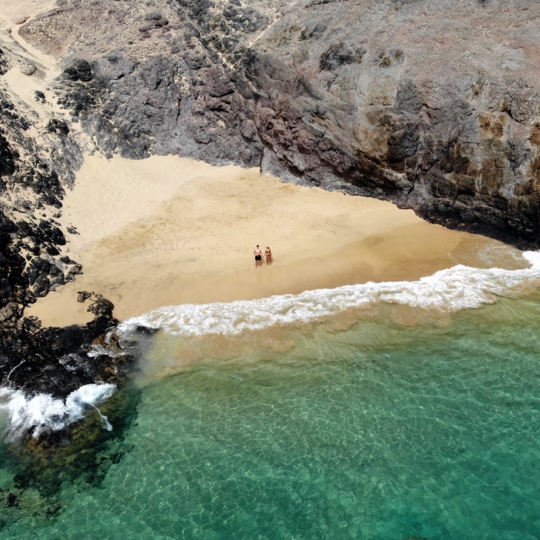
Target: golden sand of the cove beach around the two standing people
167,231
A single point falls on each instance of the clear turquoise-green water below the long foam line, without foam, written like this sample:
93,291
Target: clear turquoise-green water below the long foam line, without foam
374,429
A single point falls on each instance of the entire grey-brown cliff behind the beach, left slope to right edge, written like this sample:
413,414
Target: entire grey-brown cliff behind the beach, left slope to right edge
431,104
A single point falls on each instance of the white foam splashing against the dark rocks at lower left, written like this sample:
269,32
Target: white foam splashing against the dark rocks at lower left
42,413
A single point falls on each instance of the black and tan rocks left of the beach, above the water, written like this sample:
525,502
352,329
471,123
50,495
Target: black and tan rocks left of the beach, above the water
34,170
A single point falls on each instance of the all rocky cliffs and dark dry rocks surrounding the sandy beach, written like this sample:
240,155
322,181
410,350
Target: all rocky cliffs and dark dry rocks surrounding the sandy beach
369,98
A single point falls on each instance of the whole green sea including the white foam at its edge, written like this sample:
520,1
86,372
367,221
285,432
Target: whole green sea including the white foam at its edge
400,410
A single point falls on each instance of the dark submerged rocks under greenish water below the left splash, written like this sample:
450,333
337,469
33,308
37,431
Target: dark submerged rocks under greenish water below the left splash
80,457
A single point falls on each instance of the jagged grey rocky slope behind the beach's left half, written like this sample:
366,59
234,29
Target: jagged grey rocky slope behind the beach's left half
142,81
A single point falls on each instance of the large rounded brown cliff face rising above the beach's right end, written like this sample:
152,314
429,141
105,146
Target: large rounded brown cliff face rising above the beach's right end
433,105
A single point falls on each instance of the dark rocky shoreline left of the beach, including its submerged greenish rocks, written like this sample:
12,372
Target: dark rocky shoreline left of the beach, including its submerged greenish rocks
37,163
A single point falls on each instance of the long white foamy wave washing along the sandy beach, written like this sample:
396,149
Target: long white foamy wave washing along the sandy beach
451,290
